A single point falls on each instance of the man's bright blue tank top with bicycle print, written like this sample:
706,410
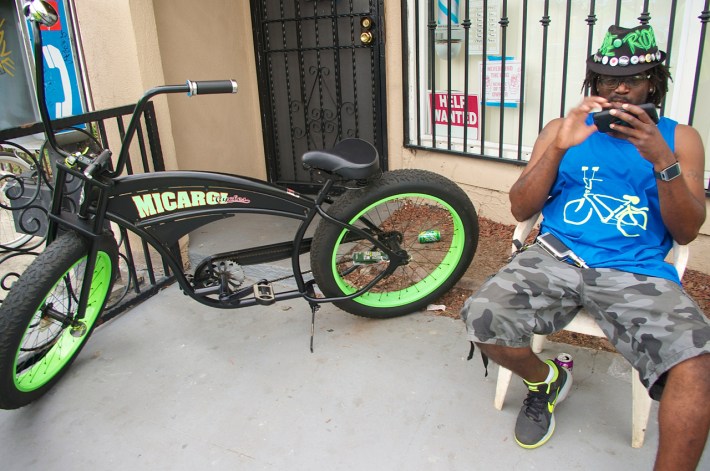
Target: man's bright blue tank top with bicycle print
604,205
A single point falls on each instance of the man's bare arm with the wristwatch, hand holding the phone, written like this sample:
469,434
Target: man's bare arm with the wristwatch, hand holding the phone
682,199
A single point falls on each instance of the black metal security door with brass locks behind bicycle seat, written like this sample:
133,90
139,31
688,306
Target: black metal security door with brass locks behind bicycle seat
321,79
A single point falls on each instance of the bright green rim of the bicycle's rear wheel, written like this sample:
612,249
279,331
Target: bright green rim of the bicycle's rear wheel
424,287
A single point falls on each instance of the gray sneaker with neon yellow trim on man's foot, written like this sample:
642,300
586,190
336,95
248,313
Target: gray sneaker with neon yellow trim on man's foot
536,421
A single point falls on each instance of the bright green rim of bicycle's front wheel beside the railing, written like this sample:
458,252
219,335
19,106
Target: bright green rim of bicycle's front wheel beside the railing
66,345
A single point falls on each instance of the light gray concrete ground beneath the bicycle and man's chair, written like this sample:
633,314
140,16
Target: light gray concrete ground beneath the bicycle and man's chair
174,385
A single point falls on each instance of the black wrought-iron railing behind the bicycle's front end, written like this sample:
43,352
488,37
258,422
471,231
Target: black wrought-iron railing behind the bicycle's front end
26,183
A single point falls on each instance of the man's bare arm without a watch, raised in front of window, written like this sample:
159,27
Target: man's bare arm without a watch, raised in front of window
530,191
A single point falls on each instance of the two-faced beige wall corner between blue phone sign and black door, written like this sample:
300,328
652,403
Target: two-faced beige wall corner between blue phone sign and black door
133,45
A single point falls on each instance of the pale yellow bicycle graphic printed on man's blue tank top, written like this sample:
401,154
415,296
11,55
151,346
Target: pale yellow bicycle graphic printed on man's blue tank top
630,220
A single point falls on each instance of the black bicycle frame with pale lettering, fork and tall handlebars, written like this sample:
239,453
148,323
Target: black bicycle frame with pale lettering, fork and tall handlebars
162,207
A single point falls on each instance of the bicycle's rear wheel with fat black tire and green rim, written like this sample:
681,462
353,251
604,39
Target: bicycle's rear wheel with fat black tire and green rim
402,204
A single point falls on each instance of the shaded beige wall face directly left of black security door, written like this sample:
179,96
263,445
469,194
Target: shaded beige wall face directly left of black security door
212,40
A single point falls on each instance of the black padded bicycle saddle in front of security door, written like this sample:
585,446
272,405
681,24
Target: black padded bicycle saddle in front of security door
353,159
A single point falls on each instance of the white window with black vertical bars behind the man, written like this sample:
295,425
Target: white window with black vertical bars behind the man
549,74
